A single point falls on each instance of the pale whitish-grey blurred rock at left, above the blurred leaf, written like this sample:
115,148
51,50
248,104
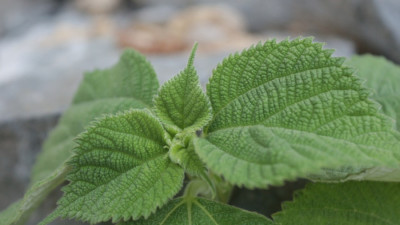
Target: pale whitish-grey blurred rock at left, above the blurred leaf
47,80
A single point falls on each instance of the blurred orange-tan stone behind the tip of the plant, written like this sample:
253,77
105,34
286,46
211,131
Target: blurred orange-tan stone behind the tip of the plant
215,27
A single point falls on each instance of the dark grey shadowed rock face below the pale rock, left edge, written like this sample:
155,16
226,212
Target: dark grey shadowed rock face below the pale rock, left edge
20,141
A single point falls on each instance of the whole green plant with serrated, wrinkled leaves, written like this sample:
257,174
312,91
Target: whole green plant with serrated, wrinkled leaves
275,112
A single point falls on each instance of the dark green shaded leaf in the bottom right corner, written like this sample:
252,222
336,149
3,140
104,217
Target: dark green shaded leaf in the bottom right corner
350,203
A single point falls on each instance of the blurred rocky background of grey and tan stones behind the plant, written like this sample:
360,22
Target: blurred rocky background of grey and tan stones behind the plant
46,46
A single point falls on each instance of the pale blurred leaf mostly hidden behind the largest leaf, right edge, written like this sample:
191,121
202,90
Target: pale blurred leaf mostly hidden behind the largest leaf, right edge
381,76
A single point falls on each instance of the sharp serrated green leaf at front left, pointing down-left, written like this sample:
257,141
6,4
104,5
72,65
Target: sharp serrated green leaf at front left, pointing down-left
122,171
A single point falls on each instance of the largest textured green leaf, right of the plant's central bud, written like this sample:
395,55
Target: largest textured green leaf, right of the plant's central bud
287,110
